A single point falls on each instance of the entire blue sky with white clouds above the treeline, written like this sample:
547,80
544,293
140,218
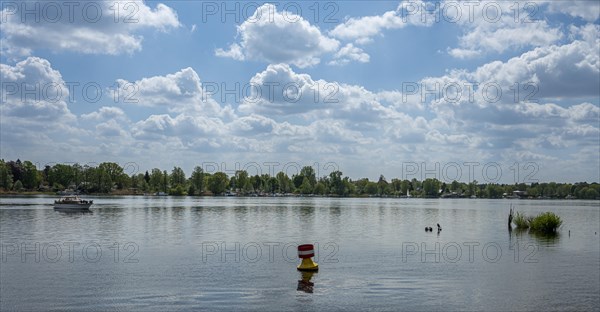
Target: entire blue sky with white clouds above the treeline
494,91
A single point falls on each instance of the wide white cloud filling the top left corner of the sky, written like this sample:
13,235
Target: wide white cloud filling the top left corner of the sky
90,27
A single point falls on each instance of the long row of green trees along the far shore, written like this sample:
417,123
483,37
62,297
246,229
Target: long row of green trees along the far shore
110,178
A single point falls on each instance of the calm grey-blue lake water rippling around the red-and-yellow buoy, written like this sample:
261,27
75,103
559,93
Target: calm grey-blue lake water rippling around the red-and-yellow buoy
171,253
